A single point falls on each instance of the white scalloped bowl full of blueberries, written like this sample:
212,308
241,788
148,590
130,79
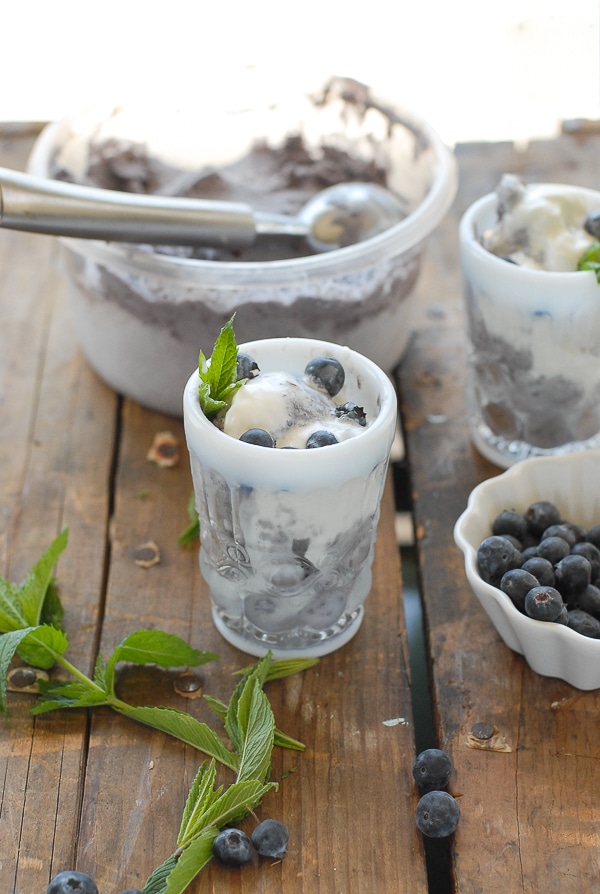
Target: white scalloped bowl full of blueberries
531,544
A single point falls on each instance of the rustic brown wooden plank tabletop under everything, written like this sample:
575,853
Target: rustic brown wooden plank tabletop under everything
99,793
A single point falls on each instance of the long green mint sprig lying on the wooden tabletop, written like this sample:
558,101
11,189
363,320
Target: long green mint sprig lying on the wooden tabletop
30,619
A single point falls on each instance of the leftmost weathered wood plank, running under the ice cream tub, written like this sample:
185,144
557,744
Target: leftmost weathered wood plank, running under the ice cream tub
56,441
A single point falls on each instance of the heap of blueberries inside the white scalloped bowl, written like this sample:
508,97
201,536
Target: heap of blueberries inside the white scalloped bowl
548,566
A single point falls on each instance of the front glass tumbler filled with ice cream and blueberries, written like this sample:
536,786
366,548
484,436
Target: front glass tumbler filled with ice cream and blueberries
288,480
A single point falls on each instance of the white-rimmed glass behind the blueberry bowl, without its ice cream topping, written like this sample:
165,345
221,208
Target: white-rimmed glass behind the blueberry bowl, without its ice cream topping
533,379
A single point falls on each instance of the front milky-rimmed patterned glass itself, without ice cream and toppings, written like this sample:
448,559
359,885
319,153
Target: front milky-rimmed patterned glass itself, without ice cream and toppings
287,536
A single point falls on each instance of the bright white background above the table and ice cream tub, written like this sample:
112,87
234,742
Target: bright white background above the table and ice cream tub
479,70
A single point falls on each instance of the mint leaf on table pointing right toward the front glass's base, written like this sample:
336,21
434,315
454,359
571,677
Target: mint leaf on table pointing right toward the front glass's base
155,647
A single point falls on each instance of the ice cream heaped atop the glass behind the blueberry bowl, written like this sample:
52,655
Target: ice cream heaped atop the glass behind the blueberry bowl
539,227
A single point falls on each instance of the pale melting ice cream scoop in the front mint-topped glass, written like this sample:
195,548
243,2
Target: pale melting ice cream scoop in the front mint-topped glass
286,406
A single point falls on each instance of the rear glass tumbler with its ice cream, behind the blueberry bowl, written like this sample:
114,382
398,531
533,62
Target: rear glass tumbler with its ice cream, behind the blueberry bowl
529,257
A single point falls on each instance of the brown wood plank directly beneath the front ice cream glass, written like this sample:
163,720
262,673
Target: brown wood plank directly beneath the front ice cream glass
331,795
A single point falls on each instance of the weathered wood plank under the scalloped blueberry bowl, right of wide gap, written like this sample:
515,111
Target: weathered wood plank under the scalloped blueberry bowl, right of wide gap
530,815
